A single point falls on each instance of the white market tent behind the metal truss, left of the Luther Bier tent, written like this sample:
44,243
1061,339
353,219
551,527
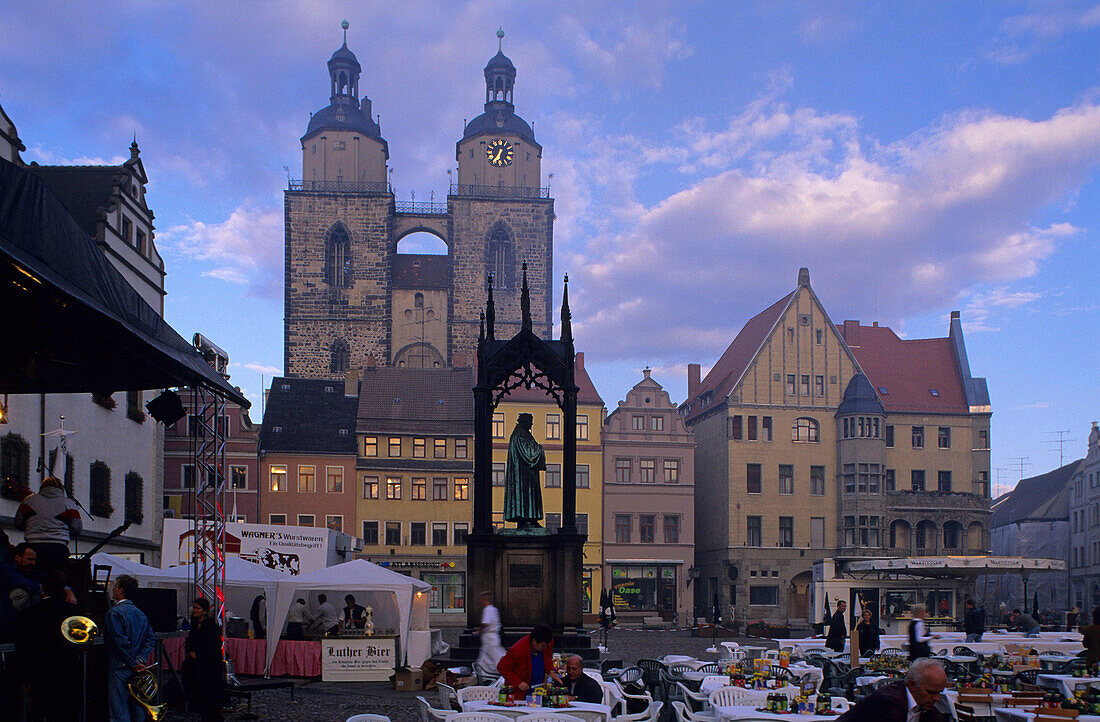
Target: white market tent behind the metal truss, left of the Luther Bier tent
244,582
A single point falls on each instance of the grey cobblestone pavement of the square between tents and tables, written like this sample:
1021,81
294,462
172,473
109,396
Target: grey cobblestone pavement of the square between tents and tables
337,702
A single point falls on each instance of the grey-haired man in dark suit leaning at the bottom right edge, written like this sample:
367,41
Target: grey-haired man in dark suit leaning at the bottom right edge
912,701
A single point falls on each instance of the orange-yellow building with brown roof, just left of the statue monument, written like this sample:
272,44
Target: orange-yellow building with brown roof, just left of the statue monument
414,468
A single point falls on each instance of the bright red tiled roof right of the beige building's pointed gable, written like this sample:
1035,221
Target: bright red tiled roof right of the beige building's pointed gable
908,369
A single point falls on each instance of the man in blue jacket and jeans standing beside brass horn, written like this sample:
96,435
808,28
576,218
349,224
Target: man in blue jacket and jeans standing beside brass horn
129,642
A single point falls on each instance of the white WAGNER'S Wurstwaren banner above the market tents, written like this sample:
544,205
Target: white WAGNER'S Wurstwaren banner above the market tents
290,550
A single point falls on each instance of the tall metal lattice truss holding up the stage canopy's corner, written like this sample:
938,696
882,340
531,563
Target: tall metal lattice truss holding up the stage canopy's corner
207,428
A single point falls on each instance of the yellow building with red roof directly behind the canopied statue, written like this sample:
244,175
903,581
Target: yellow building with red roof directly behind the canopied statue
548,432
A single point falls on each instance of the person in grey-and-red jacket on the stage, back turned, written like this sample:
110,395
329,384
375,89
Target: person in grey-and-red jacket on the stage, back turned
49,521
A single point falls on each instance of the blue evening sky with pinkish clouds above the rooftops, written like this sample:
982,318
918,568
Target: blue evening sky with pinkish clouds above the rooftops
917,157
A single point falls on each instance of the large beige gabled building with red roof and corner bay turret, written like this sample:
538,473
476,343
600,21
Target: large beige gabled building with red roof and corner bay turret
816,440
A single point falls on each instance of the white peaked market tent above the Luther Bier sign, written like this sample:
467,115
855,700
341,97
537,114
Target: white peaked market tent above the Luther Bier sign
400,603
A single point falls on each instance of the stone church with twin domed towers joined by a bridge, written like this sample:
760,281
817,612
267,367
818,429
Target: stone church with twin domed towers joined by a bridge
351,299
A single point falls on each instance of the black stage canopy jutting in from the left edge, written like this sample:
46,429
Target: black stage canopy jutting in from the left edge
72,324
